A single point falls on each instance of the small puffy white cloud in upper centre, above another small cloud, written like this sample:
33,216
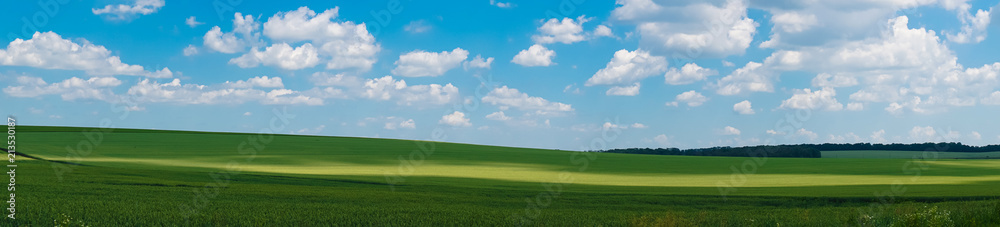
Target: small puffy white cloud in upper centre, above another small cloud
566,31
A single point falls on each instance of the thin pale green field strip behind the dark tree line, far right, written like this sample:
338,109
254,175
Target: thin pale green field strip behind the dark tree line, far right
911,154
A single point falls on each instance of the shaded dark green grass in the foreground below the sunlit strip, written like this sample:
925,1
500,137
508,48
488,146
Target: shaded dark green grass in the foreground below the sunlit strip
105,196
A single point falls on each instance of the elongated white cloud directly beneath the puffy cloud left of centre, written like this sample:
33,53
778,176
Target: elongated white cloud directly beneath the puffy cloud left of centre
387,88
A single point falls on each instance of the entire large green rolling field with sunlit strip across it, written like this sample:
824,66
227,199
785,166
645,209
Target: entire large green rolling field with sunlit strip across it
143,177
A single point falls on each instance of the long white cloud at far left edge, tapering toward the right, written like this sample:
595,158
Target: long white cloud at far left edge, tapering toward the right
48,50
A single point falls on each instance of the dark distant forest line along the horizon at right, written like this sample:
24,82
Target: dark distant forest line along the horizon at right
804,150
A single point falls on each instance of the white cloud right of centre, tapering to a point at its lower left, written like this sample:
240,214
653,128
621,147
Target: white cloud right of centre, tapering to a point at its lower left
627,67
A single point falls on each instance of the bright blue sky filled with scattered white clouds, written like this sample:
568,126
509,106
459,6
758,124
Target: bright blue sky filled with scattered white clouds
569,74
